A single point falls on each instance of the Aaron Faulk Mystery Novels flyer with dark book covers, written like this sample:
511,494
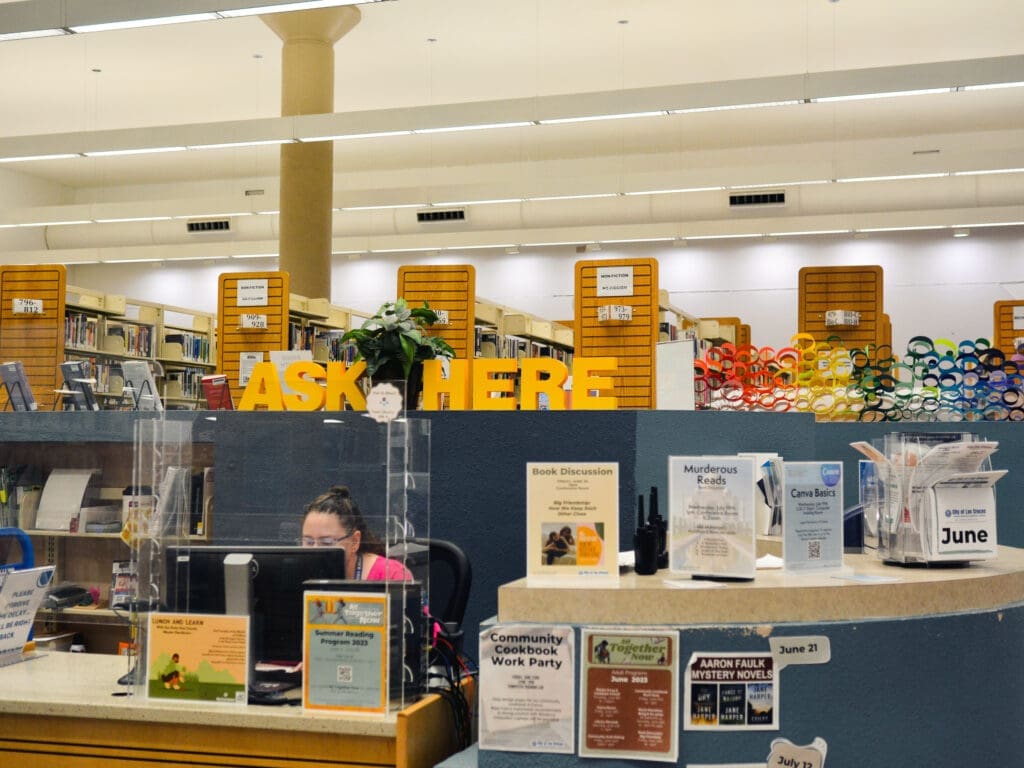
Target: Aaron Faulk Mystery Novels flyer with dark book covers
731,692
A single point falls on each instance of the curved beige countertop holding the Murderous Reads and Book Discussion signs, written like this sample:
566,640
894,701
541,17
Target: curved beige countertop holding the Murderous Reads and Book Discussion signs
872,590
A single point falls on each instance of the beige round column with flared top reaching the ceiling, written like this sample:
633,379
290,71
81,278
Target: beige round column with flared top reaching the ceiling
308,170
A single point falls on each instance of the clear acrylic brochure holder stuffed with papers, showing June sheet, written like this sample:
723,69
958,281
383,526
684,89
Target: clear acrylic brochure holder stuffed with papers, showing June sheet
932,497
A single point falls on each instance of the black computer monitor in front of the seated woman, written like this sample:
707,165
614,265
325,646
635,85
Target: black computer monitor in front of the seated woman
195,584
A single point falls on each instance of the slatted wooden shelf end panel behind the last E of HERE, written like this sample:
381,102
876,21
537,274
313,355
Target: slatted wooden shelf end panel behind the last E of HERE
632,342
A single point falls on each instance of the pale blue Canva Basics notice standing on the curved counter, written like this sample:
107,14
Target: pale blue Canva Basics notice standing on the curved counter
813,518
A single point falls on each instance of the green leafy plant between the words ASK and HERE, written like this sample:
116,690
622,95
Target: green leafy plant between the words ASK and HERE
395,342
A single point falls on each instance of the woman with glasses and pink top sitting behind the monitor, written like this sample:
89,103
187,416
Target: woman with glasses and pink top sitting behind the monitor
333,520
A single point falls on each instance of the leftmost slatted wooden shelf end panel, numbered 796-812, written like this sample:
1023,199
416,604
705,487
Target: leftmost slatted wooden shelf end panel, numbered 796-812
32,327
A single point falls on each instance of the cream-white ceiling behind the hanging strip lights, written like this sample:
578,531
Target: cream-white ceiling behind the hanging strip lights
519,59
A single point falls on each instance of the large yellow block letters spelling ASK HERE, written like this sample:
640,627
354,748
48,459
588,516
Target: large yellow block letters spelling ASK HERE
472,386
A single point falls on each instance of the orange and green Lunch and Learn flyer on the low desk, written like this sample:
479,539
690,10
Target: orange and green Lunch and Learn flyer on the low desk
197,657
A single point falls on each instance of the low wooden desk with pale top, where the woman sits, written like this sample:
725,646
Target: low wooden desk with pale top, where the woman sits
57,711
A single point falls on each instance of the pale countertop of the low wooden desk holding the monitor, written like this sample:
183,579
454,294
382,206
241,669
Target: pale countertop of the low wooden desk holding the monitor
81,686
